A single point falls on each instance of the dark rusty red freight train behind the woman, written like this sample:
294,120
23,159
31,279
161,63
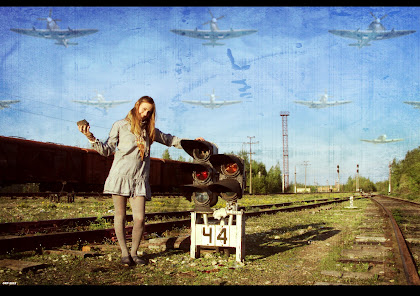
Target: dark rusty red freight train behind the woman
59,167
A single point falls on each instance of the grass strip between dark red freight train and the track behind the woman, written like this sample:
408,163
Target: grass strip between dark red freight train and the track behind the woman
38,208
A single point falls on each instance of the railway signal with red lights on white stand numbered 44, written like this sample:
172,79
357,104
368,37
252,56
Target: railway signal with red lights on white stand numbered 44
215,175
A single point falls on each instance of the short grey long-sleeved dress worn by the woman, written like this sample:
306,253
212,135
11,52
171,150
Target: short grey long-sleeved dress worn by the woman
129,174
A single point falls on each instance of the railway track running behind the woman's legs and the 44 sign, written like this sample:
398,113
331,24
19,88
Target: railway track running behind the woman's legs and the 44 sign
49,233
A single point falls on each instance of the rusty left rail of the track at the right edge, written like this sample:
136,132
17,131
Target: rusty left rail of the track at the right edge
407,260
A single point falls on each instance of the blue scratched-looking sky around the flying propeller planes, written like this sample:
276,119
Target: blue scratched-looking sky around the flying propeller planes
291,57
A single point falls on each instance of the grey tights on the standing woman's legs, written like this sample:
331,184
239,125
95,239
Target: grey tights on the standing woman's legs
137,204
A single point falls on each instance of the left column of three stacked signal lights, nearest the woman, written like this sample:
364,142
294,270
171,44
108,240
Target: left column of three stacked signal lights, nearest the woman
203,174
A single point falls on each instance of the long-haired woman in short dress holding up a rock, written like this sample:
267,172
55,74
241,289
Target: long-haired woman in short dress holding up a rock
129,174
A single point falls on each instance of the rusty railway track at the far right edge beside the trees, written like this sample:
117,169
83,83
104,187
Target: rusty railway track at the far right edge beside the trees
404,218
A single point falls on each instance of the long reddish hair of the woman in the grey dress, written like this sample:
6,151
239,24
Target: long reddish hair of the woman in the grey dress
133,117
